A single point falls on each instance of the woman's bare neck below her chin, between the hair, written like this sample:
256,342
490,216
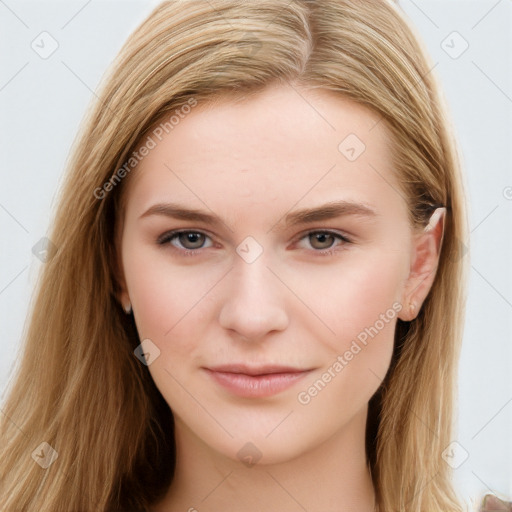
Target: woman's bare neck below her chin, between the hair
332,477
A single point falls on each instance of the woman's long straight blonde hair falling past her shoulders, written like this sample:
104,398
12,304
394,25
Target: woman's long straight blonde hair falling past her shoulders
80,388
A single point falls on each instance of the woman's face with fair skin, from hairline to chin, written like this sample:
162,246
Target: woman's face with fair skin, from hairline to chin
266,251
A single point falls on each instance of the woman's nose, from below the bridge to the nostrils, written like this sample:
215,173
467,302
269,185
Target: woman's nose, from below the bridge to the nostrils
254,301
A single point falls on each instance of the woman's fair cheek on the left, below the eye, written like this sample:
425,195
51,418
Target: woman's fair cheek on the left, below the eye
172,308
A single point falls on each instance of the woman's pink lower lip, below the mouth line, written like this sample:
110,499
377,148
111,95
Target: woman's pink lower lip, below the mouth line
256,386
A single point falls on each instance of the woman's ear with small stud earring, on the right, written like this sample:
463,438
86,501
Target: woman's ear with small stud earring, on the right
426,250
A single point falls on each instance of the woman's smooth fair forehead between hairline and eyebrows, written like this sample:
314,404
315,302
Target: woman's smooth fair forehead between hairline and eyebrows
283,145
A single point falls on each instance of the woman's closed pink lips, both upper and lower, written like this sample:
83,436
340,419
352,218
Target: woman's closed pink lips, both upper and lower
255,382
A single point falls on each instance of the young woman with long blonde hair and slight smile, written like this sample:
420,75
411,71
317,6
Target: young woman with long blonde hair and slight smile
256,298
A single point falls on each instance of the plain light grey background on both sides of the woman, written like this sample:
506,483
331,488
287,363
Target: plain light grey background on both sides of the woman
42,101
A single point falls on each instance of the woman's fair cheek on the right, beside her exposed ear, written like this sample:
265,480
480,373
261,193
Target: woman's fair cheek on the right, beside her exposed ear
360,306
